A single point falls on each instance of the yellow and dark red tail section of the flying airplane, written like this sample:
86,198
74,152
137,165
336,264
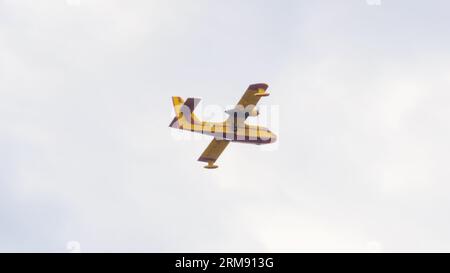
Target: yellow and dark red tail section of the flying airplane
184,116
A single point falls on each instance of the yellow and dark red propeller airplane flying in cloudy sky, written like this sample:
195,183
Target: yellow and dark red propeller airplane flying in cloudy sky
234,129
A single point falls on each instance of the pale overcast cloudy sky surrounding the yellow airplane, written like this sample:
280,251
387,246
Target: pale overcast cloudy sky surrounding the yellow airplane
360,92
